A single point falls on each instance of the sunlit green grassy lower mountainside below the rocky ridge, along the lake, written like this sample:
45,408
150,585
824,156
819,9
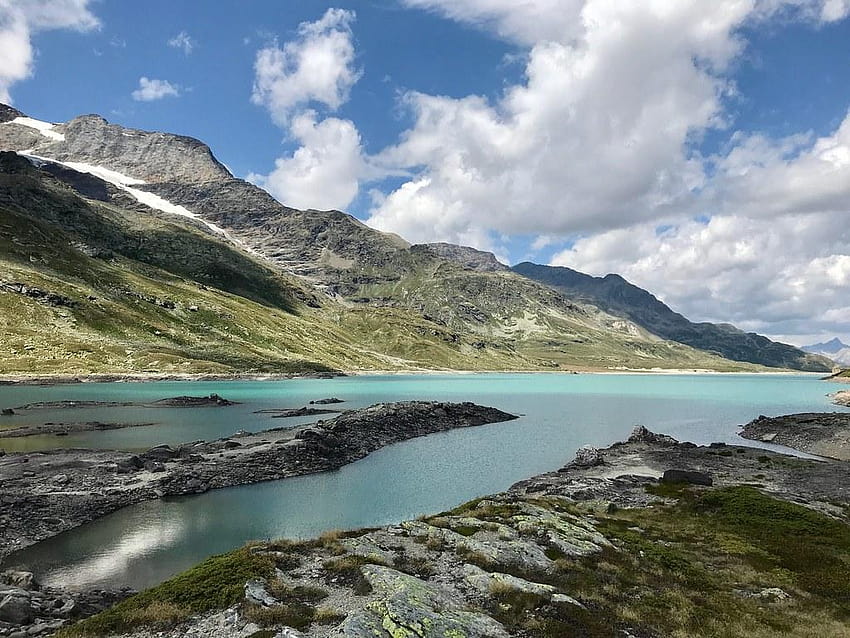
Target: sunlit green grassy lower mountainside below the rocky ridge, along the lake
100,283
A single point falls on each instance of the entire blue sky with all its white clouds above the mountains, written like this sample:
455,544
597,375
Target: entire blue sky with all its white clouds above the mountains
699,149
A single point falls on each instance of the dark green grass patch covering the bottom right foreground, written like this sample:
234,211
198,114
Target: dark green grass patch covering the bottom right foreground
689,569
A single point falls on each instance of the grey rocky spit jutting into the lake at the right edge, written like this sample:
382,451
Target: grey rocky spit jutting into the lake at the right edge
825,434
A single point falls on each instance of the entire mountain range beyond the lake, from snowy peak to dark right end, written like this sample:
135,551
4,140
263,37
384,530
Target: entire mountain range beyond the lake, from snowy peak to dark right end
124,250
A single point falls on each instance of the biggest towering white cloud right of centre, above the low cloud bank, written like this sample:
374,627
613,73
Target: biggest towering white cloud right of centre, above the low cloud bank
597,133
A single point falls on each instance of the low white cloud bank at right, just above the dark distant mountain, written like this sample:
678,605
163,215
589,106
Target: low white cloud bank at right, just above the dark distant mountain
781,276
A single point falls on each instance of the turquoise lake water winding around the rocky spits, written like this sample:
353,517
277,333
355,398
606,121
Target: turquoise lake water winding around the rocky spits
144,544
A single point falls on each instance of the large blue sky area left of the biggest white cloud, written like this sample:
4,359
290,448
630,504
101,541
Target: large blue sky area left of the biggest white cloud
398,49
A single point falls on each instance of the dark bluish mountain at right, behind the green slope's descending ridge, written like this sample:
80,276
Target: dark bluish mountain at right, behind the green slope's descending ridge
617,296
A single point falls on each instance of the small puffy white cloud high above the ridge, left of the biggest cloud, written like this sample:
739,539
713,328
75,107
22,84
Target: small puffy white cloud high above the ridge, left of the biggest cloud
318,67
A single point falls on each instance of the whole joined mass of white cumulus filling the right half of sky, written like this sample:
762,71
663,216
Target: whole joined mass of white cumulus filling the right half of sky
600,141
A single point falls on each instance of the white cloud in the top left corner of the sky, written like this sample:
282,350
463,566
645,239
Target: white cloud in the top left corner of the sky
20,19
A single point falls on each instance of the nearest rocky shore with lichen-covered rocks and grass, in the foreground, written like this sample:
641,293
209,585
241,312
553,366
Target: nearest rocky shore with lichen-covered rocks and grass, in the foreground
649,537
